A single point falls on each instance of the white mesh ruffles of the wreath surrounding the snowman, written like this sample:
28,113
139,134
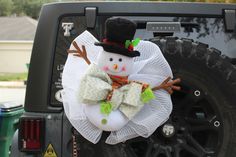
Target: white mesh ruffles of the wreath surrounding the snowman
151,67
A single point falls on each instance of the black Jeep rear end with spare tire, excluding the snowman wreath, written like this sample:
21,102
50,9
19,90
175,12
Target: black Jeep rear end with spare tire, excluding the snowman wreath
197,39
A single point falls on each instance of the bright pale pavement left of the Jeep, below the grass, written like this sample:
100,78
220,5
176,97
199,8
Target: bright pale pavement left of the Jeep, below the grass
12,94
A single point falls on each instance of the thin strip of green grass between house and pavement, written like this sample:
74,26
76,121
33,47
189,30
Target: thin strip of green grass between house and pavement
13,76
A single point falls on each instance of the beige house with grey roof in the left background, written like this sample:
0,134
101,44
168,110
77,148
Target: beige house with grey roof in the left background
16,41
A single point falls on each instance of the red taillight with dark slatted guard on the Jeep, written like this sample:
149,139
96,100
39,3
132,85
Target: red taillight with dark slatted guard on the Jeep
31,134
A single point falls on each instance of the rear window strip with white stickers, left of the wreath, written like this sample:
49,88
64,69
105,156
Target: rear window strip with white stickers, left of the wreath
62,44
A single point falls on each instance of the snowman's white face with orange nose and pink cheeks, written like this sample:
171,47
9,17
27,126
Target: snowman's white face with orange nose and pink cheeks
115,64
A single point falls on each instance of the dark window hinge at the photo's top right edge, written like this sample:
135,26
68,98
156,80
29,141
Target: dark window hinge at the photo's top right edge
230,19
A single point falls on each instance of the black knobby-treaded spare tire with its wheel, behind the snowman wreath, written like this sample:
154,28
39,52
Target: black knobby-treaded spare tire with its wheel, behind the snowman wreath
203,121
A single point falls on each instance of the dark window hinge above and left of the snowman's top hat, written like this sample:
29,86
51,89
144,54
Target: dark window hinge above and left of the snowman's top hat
90,15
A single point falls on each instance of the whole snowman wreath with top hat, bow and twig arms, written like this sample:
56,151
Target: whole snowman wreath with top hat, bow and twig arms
115,91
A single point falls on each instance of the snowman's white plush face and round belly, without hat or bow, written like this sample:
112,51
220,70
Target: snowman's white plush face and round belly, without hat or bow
119,66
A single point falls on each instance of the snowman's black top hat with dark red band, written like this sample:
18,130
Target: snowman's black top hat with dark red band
117,32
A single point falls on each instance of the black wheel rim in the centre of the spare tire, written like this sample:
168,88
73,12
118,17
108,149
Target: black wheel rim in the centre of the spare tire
194,129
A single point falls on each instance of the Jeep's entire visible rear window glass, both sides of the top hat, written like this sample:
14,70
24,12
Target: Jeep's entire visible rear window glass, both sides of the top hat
206,30
